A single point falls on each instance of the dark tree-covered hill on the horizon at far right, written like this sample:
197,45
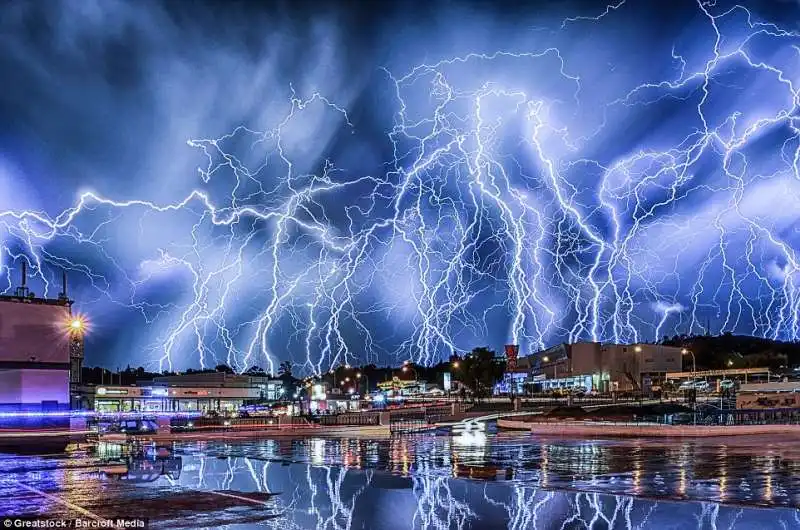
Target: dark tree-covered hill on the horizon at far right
738,351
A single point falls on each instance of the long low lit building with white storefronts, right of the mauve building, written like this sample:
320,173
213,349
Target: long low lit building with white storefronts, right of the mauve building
200,392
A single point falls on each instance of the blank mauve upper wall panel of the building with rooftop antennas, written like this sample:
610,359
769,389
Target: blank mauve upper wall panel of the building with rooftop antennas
33,333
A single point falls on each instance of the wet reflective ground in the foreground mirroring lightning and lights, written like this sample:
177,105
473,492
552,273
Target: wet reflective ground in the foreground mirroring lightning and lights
420,482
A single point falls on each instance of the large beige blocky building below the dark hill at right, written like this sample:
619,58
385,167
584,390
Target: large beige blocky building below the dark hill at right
604,367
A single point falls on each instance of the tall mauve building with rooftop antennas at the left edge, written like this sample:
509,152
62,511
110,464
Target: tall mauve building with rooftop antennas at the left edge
41,352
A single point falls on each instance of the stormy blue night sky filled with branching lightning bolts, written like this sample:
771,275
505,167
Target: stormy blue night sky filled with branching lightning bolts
377,181
